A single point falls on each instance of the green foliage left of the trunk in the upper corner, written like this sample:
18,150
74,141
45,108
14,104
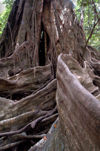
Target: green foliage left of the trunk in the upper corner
4,15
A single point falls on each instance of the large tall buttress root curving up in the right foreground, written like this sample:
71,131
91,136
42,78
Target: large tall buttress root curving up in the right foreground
79,111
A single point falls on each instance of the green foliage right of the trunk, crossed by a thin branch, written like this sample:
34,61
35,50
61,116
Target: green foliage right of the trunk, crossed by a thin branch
90,18
